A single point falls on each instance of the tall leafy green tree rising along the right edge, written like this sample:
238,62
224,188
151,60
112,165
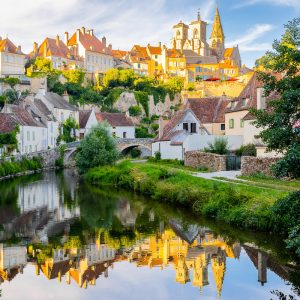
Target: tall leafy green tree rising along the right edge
279,122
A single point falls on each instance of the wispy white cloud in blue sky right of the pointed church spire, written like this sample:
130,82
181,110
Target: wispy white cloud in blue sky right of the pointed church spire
249,41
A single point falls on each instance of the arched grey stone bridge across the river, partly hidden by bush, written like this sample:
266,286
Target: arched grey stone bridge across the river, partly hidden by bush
124,146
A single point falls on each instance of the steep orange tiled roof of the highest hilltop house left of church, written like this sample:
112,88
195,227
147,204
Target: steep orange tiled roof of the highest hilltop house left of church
89,41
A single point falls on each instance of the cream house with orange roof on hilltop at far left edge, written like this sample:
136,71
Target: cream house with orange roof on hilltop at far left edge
12,59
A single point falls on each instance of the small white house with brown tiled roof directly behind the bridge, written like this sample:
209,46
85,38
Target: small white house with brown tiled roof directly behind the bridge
121,126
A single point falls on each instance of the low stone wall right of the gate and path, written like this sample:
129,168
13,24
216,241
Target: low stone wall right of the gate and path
252,165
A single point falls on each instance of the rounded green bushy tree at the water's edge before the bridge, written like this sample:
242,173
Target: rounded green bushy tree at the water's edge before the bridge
98,148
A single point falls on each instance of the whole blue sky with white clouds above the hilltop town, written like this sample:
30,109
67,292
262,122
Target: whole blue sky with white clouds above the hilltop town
252,24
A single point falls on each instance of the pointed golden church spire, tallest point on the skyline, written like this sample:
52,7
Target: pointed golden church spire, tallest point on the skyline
217,38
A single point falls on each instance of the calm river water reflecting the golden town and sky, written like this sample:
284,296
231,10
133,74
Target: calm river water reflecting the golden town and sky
63,239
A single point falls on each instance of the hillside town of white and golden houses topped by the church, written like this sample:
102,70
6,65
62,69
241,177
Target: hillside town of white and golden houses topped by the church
215,100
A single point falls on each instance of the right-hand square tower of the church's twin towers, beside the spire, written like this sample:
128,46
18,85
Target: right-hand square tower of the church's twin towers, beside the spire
198,41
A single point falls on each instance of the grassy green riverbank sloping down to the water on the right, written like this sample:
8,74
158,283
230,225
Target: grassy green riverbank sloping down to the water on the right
245,206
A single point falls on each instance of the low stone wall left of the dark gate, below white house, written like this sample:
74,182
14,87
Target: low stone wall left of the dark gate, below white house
213,162
